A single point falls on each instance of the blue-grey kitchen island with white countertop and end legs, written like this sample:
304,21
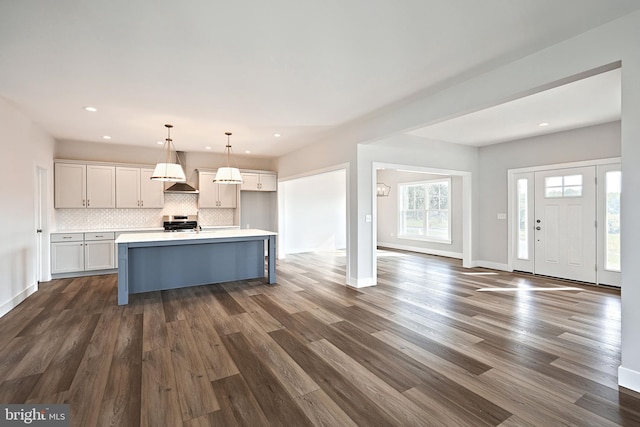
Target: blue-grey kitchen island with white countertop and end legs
159,261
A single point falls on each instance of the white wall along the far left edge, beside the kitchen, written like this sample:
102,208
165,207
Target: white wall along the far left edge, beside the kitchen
25,147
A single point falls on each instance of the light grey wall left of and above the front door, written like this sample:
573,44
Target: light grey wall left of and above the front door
590,143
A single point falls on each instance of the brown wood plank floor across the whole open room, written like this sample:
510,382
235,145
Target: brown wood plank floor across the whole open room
426,347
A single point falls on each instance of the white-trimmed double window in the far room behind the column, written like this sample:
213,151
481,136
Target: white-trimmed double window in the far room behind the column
425,210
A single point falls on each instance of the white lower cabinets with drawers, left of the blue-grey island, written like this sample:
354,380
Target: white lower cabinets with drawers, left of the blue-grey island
76,252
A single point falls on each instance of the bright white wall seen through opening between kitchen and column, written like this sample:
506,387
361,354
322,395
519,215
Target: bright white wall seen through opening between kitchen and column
314,209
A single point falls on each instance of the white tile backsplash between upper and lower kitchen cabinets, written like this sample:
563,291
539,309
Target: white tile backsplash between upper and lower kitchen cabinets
174,204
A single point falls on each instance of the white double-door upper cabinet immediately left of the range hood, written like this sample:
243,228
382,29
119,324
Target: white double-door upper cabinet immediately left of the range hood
135,189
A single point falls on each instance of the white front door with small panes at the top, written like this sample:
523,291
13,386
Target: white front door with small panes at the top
565,223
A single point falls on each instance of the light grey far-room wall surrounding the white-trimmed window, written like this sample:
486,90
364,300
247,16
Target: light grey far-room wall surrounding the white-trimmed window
387,215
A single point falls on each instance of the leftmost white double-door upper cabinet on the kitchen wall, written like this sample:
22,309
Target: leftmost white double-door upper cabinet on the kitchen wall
84,186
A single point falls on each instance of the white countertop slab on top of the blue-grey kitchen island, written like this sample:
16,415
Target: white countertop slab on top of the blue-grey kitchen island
192,235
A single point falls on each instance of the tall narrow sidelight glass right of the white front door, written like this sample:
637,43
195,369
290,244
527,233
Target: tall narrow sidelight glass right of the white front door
612,240
